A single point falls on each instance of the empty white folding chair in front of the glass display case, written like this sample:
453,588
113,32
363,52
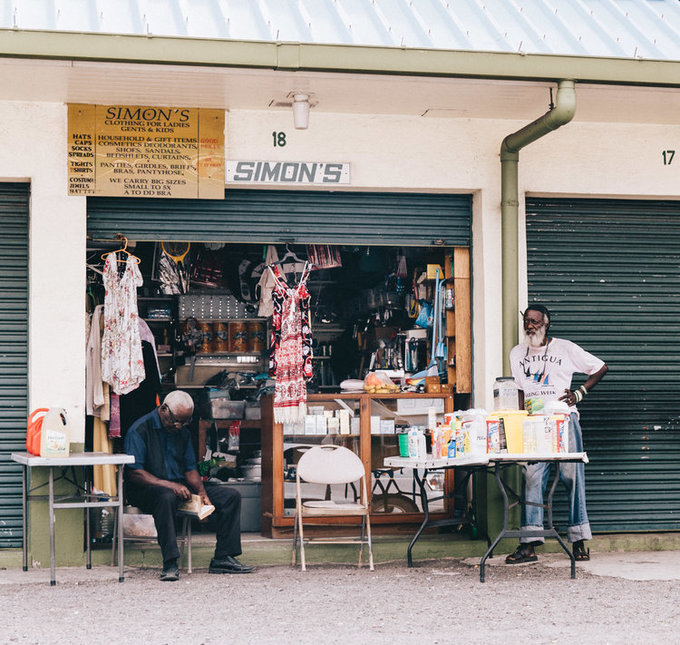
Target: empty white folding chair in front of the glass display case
328,464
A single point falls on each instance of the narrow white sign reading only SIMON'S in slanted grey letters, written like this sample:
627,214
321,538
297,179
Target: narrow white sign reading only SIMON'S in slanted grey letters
287,172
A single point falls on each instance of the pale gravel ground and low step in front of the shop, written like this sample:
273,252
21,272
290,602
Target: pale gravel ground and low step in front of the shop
618,597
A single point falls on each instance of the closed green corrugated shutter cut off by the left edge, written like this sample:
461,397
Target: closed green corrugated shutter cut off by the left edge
13,354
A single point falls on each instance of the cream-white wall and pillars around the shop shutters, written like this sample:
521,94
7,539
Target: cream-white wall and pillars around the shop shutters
386,153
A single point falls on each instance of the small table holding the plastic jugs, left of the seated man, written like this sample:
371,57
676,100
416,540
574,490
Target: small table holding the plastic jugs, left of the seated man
82,498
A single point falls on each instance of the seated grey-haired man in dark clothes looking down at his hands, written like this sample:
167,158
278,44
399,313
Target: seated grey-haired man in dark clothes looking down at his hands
164,474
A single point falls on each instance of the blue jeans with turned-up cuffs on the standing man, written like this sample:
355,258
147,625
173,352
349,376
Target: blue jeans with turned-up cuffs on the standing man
572,475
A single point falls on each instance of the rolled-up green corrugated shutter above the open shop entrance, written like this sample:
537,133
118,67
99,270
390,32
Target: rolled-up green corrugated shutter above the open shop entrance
305,217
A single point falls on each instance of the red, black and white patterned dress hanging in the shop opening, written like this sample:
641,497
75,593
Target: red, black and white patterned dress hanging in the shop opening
291,357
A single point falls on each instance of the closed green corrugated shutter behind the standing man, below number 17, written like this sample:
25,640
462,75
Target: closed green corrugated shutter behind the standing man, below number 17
610,272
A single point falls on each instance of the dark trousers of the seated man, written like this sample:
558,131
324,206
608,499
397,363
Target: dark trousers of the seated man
162,503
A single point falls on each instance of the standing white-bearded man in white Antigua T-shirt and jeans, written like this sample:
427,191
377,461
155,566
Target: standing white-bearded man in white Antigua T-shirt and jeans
543,368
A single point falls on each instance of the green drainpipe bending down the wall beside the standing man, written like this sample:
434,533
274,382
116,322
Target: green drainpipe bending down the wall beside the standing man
559,115
